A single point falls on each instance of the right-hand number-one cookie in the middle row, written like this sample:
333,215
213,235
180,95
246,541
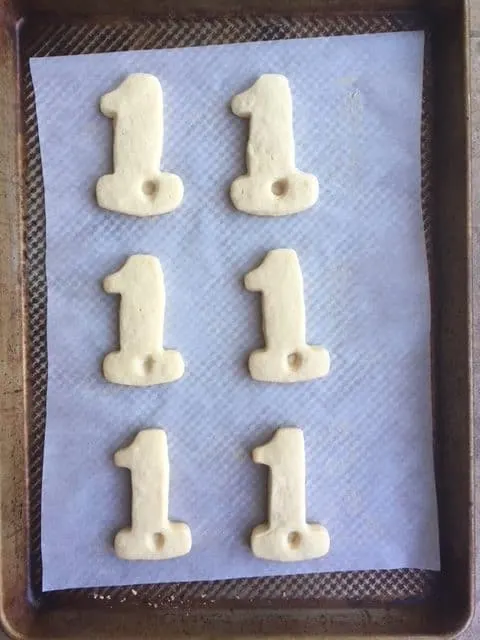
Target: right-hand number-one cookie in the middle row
287,357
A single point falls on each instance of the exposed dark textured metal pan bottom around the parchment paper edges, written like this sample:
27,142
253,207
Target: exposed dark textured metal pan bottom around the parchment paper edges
69,39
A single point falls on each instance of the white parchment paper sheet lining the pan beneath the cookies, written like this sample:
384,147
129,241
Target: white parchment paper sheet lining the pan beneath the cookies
357,115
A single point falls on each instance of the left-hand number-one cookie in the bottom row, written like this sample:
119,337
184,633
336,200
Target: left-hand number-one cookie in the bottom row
152,535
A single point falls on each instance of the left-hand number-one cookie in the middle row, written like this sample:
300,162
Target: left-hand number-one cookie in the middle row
142,360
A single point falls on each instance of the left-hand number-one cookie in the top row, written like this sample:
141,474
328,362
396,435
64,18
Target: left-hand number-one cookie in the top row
137,187
